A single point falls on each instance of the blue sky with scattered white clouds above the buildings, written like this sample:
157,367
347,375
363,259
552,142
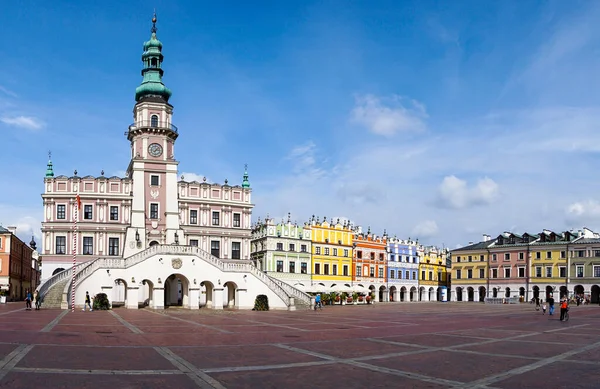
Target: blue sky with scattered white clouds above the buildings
432,119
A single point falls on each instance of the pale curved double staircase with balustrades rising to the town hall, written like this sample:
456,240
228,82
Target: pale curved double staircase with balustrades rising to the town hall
55,291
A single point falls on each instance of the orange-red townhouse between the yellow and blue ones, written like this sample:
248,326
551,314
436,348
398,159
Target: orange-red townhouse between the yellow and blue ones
369,263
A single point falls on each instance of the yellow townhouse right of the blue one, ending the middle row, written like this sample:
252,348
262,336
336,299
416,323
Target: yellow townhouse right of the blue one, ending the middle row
433,273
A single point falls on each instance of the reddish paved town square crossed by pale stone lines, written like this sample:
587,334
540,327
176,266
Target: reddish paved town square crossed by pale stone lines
417,345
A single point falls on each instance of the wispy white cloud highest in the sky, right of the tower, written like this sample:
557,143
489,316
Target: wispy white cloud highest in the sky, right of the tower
387,120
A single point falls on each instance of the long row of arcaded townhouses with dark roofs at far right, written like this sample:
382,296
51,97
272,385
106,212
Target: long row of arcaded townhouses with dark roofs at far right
528,265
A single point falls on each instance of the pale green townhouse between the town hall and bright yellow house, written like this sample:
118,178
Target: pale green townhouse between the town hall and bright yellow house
282,250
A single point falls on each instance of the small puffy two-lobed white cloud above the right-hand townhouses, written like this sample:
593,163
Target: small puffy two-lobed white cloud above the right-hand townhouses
455,193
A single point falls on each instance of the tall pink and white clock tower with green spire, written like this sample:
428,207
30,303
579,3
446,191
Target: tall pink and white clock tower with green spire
153,168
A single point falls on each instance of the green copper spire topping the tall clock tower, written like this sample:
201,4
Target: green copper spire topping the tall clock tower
152,85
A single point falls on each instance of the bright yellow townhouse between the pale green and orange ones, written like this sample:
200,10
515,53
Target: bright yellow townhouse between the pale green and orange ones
331,252
